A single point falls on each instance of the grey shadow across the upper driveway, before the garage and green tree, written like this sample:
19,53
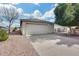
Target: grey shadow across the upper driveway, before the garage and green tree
62,39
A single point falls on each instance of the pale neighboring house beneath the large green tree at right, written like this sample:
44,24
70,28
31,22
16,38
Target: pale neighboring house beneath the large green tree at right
64,29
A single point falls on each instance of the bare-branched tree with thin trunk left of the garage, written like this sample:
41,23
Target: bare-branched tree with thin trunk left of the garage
9,12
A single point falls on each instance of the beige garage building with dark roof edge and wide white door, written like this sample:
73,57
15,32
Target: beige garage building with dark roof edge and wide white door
36,26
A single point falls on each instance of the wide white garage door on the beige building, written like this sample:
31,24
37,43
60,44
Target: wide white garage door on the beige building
38,29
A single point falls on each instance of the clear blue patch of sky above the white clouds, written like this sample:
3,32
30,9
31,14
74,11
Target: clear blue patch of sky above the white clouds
30,7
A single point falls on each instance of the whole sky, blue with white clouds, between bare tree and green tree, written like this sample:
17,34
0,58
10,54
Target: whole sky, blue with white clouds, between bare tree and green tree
35,10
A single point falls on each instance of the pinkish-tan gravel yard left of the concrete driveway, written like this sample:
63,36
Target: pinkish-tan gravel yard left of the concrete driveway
17,45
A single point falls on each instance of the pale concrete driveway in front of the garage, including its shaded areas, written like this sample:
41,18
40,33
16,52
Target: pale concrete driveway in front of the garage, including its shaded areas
55,45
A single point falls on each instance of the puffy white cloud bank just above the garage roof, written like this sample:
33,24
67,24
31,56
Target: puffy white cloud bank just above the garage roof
49,15
